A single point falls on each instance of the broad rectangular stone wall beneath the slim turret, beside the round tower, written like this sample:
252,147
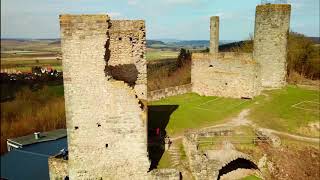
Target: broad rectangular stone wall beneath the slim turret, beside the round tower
225,74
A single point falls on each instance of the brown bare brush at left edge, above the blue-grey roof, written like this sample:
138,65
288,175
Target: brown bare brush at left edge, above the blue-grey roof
30,112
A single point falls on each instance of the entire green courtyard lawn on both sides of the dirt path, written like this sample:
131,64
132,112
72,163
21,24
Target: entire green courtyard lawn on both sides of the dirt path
291,109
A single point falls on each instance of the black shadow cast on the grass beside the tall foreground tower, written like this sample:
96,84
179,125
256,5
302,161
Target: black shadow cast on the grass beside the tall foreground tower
158,119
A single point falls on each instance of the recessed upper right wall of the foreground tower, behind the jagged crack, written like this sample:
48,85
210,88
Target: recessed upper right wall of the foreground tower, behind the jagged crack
127,47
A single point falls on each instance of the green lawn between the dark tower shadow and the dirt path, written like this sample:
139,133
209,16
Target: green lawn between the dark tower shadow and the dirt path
196,111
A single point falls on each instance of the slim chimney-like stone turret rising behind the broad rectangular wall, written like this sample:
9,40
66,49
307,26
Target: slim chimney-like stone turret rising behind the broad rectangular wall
214,34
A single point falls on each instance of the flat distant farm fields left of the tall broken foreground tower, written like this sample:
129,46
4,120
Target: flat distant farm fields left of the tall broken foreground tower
22,55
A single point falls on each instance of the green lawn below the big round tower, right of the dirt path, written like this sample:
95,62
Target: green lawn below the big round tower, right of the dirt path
280,110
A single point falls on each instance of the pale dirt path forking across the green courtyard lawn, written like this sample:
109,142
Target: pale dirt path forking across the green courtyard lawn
241,120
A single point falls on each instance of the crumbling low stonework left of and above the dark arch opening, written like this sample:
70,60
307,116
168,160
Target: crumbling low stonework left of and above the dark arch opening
207,165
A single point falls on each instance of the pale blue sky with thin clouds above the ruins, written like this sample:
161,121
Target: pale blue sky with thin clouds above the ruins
178,19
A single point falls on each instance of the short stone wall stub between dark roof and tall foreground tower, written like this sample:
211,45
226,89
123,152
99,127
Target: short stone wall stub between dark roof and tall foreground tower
58,168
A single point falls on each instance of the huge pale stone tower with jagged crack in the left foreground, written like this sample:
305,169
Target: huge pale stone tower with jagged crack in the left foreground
106,123
